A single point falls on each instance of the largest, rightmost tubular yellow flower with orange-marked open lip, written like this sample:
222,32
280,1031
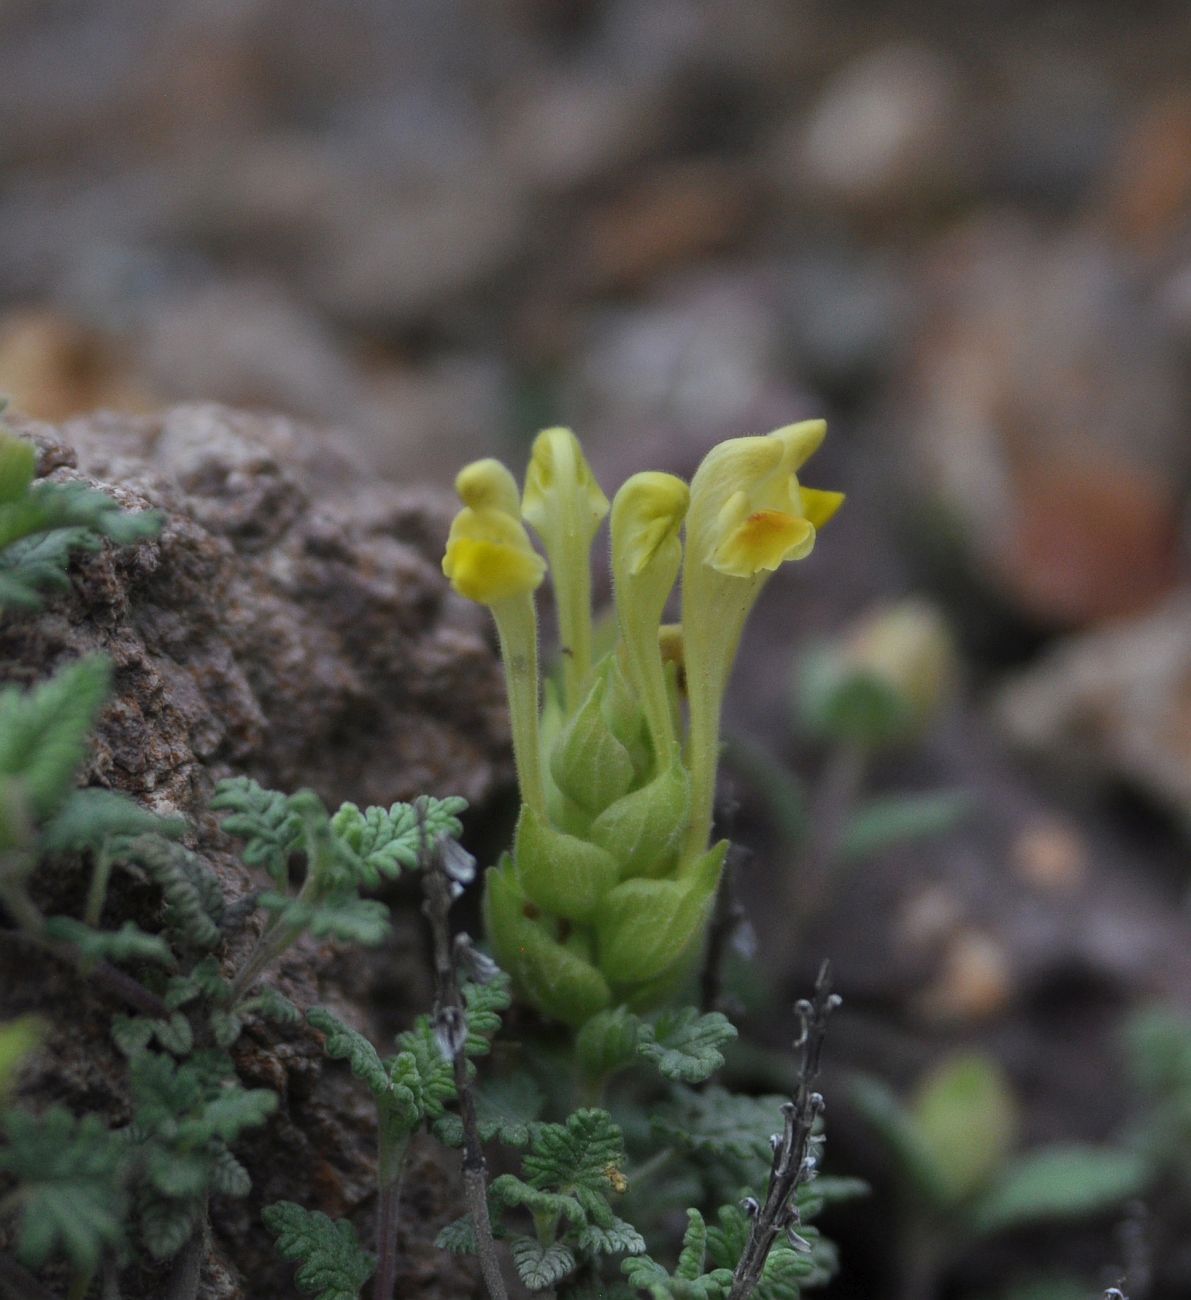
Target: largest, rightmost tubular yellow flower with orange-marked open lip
748,515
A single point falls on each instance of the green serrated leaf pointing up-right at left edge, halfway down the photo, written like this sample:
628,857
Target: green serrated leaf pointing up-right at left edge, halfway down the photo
44,734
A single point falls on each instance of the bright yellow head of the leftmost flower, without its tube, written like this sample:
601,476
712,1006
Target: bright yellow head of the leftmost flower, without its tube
490,557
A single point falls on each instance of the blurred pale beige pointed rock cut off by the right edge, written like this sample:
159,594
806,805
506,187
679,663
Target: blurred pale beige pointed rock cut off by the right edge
1114,704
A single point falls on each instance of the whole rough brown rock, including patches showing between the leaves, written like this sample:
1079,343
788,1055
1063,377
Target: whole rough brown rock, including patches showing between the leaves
291,623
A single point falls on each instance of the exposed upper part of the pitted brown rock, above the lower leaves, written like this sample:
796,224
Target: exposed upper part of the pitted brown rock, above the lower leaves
291,622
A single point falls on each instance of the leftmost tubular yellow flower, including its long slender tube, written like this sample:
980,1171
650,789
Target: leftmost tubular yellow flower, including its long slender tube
490,560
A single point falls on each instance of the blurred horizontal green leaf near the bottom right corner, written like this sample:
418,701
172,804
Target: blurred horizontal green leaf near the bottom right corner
1059,1182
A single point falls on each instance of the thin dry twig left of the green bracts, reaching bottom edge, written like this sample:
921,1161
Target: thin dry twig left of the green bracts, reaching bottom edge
445,869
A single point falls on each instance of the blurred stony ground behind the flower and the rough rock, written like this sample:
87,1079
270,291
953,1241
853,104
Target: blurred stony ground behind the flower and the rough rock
963,233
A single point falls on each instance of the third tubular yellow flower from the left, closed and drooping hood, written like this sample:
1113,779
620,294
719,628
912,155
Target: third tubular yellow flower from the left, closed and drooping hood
647,553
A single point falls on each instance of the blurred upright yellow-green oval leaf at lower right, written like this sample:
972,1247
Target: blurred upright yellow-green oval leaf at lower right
967,1119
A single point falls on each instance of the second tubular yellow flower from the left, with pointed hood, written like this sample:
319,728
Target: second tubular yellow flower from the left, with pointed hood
566,508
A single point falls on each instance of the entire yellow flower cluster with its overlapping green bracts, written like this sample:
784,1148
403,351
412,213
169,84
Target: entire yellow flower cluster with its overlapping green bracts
607,896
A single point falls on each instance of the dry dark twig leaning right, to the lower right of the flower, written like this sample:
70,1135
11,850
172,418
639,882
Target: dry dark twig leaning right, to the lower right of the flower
795,1162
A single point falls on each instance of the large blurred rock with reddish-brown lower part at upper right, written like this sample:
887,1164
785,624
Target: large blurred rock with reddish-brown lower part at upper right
1045,409
